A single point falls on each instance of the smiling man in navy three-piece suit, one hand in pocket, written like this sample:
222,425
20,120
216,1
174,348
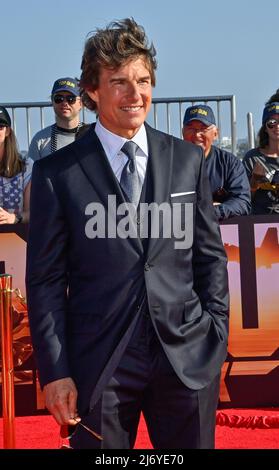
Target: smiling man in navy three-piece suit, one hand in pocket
126,271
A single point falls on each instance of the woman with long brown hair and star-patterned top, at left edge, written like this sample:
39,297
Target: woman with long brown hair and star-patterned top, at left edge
15,176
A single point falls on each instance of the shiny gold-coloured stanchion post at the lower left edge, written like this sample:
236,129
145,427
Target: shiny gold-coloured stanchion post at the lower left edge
8,403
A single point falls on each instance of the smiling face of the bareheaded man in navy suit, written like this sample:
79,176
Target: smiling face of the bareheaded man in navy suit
123,97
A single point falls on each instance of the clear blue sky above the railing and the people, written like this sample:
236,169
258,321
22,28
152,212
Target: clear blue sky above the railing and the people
216,47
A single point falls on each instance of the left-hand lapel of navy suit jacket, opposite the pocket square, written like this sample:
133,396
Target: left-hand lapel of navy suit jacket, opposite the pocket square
94,163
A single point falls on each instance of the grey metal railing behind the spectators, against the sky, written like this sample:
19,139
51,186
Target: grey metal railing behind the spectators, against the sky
167,115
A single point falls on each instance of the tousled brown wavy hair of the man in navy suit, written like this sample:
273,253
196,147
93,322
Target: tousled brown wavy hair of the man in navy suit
112,47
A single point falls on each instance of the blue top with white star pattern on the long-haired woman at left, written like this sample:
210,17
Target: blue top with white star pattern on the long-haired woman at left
12,189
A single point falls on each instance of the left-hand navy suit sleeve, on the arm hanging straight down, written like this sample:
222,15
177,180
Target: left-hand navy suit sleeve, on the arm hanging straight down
46,278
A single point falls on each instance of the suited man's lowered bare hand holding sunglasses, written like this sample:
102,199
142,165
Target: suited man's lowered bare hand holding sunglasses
61,401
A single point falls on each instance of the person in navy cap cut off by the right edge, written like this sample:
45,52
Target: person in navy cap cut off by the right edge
262,163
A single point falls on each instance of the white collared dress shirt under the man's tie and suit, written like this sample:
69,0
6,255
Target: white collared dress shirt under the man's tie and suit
112,144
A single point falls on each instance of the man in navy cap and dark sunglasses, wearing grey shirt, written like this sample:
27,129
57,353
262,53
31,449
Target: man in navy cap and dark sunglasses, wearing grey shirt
66,105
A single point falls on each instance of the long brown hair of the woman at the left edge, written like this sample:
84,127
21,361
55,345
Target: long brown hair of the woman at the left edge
11,164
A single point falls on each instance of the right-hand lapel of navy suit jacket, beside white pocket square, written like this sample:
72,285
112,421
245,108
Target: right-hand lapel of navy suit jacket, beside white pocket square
161,154
